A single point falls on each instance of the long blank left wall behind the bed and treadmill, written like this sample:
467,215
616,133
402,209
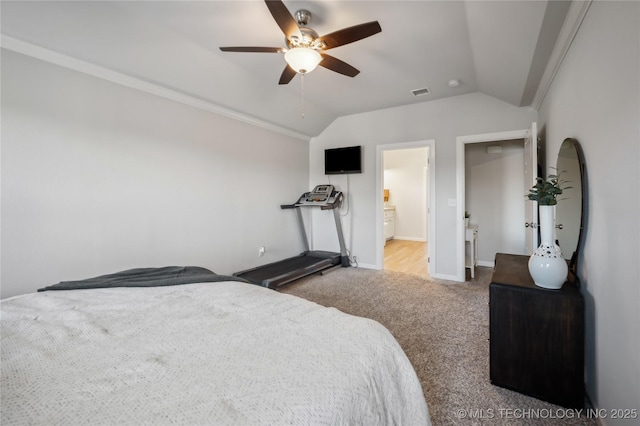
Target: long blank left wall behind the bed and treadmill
97,178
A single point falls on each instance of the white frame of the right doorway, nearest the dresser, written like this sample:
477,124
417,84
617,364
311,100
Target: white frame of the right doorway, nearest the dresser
461,141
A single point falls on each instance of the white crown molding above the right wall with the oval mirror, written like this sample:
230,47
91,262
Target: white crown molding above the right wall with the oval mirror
575,16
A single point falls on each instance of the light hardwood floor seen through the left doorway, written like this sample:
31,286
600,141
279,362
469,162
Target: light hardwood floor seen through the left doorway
406,256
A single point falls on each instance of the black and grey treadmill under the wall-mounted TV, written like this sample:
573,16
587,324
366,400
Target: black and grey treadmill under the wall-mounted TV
276,274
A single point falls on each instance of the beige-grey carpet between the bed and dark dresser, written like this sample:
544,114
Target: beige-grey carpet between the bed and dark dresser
443,327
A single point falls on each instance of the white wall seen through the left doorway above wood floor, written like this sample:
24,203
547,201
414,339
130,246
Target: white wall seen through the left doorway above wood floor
405,177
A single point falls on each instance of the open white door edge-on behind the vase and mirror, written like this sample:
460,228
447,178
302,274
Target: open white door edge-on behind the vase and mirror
530,174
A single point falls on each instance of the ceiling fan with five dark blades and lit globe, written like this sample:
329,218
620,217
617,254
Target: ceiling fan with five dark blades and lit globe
305,49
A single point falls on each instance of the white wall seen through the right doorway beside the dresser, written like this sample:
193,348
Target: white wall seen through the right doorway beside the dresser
494,191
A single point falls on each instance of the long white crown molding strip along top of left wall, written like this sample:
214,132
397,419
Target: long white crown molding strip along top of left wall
122,79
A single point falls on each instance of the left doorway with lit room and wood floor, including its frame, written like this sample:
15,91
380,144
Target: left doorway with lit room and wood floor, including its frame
405,182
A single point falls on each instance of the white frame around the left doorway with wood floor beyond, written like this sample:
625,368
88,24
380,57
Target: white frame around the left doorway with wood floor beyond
430,217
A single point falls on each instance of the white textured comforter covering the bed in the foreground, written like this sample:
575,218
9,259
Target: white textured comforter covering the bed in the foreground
199,354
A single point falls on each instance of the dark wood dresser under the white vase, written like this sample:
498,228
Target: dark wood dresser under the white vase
536,335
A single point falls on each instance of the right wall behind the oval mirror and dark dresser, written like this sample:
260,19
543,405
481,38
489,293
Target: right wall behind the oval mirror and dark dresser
595,98
